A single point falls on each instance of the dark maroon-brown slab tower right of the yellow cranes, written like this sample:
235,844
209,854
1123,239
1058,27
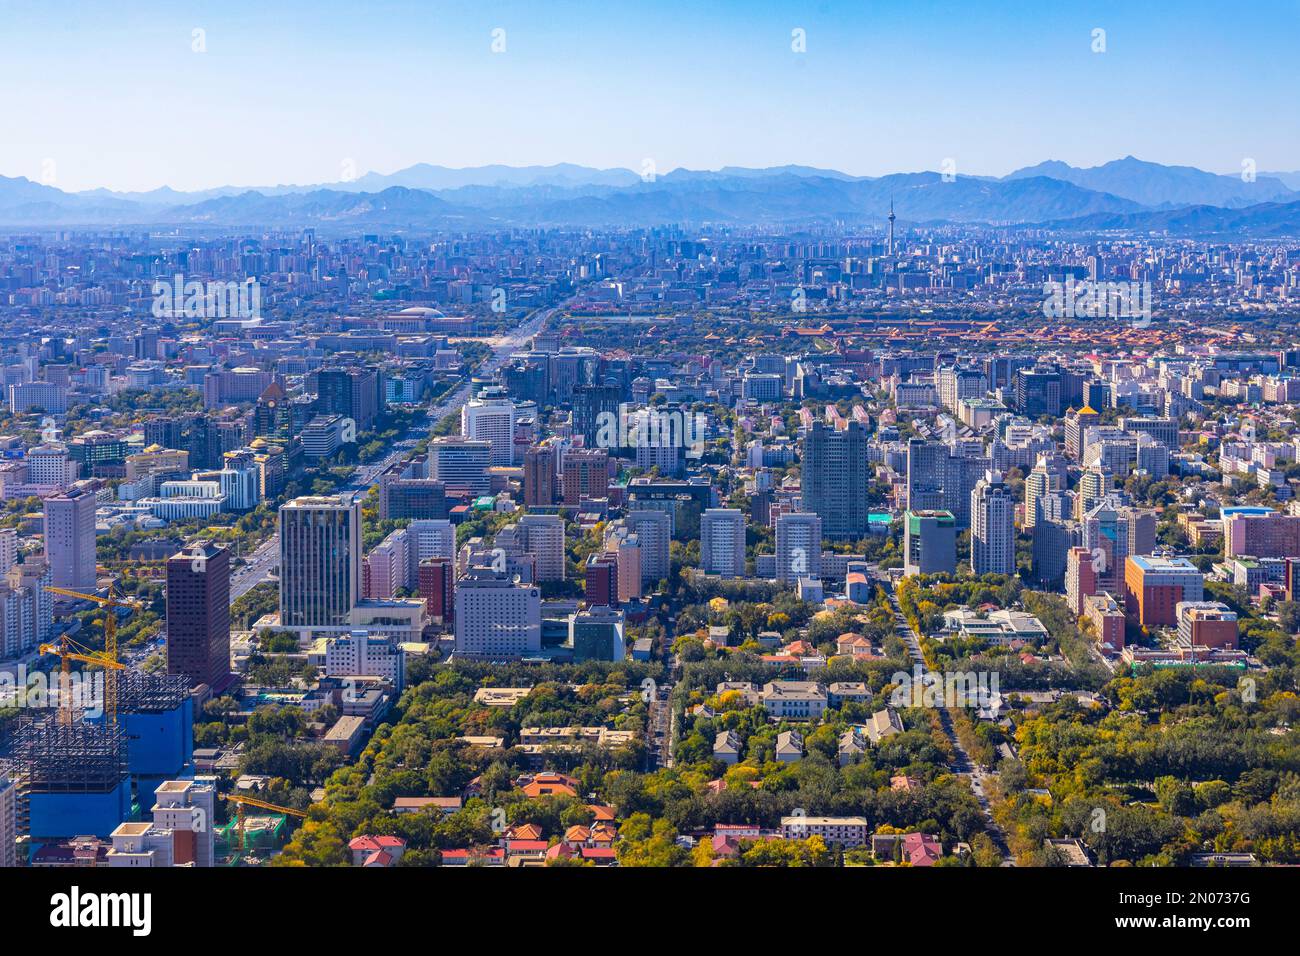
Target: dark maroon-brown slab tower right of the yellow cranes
198,615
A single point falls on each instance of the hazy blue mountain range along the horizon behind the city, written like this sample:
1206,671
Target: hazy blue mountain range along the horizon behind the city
1128,196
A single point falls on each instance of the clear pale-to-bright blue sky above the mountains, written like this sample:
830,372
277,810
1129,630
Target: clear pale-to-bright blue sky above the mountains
128,96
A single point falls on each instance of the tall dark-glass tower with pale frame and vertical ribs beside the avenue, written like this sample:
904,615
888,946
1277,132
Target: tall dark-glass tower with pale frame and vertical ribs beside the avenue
320,563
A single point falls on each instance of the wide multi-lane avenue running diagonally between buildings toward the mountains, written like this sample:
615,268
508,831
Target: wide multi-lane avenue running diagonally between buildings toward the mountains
266,559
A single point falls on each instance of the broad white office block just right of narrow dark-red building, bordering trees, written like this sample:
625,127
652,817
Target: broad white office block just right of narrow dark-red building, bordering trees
497,616
